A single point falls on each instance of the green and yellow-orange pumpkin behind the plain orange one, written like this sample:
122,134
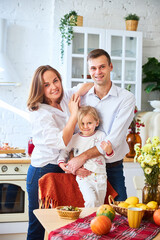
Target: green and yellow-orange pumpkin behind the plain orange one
107,211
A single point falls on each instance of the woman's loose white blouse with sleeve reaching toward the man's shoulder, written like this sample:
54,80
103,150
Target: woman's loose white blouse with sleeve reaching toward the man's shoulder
47,129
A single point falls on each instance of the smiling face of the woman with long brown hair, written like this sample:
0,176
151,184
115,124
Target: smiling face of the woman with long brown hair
52,86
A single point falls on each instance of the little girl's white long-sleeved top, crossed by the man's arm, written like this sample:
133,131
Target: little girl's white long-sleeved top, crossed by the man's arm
80,144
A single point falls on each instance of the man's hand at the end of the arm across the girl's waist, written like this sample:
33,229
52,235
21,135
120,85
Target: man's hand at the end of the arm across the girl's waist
74,164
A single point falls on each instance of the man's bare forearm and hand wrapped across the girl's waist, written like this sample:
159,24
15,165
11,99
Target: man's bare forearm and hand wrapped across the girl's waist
77,162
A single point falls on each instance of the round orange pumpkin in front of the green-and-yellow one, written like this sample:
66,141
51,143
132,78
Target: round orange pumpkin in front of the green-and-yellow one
100,225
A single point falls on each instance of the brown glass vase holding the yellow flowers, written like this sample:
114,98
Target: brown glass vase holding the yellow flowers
151,193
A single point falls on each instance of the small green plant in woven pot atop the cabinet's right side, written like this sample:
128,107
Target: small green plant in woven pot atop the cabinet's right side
131,22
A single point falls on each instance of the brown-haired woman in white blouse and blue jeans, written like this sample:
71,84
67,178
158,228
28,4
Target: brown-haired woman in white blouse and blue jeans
52,128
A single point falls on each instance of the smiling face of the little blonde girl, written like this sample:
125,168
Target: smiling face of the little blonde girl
88,125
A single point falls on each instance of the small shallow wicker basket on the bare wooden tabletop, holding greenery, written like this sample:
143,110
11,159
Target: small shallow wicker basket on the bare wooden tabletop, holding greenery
68,214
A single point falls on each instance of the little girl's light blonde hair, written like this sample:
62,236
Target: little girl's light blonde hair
83,111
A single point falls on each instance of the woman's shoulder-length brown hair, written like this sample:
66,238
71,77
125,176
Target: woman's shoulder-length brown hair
36,94
